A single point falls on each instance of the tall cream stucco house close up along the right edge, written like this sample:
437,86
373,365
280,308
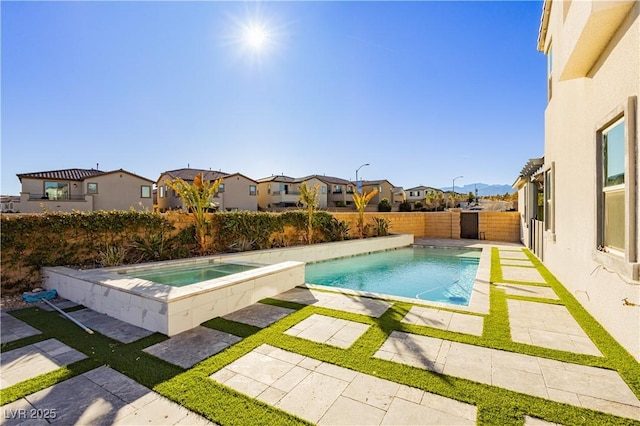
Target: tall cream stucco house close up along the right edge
590,172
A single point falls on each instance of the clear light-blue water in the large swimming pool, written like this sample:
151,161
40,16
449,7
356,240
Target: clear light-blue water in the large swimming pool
426,273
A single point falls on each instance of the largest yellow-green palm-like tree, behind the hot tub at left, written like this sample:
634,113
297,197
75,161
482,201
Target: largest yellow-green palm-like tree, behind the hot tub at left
198,198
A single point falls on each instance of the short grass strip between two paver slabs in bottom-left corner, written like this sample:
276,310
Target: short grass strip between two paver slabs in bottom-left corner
43,381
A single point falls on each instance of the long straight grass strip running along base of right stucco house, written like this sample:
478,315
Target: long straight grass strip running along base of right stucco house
619,358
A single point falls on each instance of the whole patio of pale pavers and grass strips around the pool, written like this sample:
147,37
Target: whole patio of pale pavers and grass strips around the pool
311,356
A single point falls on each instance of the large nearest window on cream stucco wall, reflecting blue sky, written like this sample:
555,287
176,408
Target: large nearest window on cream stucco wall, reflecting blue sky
613,186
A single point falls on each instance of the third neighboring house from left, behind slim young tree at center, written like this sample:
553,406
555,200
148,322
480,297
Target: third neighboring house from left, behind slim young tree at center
279,191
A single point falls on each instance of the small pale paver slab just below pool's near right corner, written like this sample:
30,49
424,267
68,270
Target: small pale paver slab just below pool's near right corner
445,320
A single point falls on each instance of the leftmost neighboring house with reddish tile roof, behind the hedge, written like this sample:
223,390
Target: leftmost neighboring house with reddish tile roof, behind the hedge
84,190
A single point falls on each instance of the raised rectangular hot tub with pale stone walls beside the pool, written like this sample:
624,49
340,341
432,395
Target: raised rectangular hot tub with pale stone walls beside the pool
216,288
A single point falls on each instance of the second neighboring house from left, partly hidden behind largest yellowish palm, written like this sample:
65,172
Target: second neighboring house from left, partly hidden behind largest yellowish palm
236,192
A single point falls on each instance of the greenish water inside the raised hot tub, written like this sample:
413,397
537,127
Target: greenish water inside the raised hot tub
178,276
